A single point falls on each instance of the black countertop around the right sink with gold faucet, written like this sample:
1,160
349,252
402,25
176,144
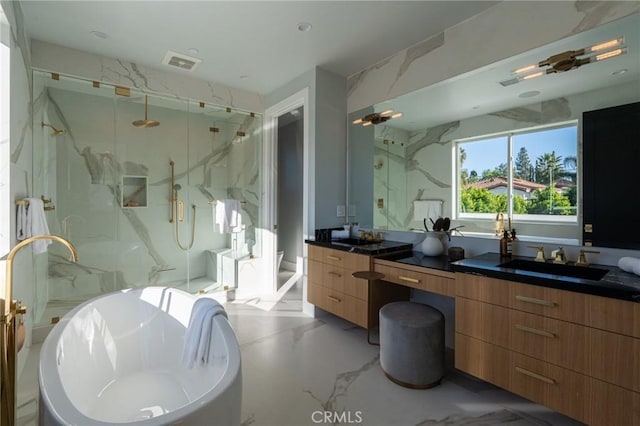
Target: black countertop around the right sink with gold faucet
616,283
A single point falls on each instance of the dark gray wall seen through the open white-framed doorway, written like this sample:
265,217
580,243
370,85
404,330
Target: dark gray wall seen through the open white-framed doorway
290,168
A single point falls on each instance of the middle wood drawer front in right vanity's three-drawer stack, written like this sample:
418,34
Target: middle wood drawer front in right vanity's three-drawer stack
557,342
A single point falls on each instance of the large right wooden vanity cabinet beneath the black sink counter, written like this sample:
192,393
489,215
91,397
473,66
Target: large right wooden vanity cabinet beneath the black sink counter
555,347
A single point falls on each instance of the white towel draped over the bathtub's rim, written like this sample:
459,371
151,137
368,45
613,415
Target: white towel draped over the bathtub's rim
200,332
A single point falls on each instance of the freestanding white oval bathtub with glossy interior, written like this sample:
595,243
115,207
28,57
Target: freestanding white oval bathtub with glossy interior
116,359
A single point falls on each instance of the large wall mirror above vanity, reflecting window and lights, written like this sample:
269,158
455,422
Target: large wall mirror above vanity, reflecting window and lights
464,146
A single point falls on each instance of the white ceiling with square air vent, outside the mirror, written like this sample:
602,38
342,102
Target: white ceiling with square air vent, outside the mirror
253,45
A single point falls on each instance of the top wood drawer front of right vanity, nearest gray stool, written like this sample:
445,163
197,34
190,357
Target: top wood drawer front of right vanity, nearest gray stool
550,302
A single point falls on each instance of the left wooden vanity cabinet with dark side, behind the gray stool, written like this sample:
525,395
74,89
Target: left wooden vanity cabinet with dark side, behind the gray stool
332,287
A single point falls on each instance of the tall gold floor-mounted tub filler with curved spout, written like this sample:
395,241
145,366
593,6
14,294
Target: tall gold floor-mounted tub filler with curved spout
12,311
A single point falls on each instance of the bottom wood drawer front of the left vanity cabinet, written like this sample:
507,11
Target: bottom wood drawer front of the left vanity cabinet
340,304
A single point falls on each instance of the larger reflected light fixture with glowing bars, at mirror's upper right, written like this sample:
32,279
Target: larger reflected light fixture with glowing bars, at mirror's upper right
570,59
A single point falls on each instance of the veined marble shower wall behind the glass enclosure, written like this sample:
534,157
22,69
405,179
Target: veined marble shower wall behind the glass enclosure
87,170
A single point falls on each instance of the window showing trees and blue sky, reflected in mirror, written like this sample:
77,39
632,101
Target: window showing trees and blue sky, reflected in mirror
529,174
